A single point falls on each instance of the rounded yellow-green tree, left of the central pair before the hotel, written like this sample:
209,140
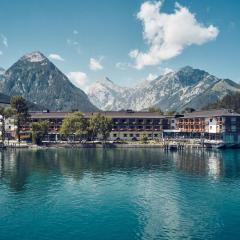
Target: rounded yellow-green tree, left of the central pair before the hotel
74,124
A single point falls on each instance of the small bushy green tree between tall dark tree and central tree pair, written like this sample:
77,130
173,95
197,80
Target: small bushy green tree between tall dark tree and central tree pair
39,130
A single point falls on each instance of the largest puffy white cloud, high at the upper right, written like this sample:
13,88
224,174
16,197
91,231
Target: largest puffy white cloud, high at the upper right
168,34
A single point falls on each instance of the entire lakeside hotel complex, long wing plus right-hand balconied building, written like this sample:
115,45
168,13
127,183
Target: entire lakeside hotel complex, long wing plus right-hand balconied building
130,125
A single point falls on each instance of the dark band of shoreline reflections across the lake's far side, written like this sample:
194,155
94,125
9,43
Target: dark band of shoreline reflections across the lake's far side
17,166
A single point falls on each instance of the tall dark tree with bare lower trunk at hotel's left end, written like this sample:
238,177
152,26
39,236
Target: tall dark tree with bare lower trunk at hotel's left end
20,107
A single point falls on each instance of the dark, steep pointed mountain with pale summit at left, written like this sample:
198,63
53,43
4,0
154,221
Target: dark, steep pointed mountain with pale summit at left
38,80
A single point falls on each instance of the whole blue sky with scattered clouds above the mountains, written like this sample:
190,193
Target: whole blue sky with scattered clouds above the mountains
105,32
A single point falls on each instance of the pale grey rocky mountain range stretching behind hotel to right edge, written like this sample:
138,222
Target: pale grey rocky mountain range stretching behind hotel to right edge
187,87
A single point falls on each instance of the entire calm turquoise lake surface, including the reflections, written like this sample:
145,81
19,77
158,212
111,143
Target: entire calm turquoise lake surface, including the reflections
119,194
